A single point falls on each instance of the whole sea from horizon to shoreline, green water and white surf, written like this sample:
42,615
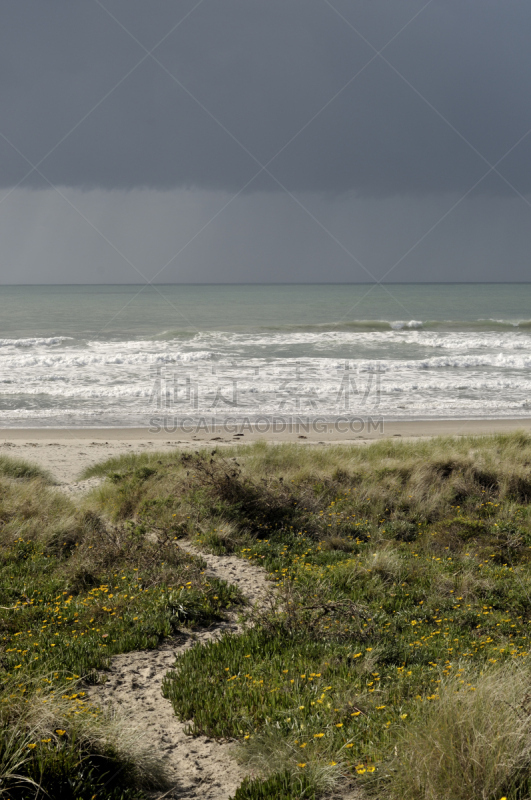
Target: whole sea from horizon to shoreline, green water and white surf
124,355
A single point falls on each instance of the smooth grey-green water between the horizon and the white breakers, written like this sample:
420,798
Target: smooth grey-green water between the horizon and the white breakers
138,311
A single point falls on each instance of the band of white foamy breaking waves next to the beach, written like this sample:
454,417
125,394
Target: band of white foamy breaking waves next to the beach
404,370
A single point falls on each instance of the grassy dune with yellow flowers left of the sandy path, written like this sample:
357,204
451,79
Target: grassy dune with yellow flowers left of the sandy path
75,590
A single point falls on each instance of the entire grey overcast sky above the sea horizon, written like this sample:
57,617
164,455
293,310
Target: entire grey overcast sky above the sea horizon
264,140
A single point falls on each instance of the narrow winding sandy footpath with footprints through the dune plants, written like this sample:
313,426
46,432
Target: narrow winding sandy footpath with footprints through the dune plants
198,767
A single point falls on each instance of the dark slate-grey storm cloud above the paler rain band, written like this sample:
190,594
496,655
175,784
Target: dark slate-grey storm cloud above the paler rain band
262,69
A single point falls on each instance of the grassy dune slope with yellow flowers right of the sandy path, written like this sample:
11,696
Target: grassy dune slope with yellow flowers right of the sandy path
404,592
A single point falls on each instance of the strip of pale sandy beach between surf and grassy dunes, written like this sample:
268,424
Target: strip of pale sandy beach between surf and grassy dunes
66,452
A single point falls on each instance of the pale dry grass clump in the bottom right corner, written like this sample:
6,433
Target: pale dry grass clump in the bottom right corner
474,742
